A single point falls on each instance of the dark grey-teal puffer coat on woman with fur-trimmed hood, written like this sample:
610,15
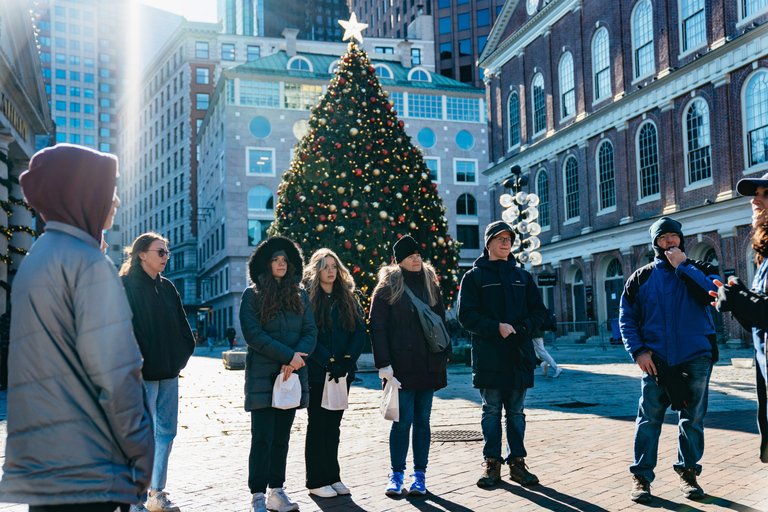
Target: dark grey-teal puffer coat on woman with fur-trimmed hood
272,345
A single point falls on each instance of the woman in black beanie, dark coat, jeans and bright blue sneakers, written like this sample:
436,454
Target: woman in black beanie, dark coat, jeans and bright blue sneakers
401,350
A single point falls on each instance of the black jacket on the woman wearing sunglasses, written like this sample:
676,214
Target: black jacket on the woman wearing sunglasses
159,323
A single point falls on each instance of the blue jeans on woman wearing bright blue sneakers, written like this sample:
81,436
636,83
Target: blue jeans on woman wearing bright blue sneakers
415,408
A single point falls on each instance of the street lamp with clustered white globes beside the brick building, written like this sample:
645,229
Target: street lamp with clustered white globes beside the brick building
521,213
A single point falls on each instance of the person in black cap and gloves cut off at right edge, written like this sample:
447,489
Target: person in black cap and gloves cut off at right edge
750,307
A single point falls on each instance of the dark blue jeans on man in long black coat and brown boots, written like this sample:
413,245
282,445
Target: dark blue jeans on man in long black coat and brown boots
512,401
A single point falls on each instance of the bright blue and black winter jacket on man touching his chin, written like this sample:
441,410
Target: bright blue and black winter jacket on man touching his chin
666,310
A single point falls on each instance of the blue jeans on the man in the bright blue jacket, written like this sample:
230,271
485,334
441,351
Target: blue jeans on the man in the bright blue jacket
650,416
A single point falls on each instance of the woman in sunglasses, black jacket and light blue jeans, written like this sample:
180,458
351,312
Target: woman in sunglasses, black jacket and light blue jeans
166,342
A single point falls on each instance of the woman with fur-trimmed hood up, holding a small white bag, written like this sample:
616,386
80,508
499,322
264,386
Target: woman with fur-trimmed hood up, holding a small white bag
280,331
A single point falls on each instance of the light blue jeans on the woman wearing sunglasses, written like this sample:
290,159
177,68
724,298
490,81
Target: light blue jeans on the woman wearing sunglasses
164,405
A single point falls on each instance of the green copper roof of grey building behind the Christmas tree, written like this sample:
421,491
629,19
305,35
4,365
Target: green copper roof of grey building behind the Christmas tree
276,64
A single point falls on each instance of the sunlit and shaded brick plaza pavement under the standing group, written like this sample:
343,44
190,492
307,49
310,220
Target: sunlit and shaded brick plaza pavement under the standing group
579,442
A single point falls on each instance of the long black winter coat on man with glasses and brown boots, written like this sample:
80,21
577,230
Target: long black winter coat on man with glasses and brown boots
507,294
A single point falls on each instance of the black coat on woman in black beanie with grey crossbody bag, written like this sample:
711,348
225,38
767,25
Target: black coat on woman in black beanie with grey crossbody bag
398,340
